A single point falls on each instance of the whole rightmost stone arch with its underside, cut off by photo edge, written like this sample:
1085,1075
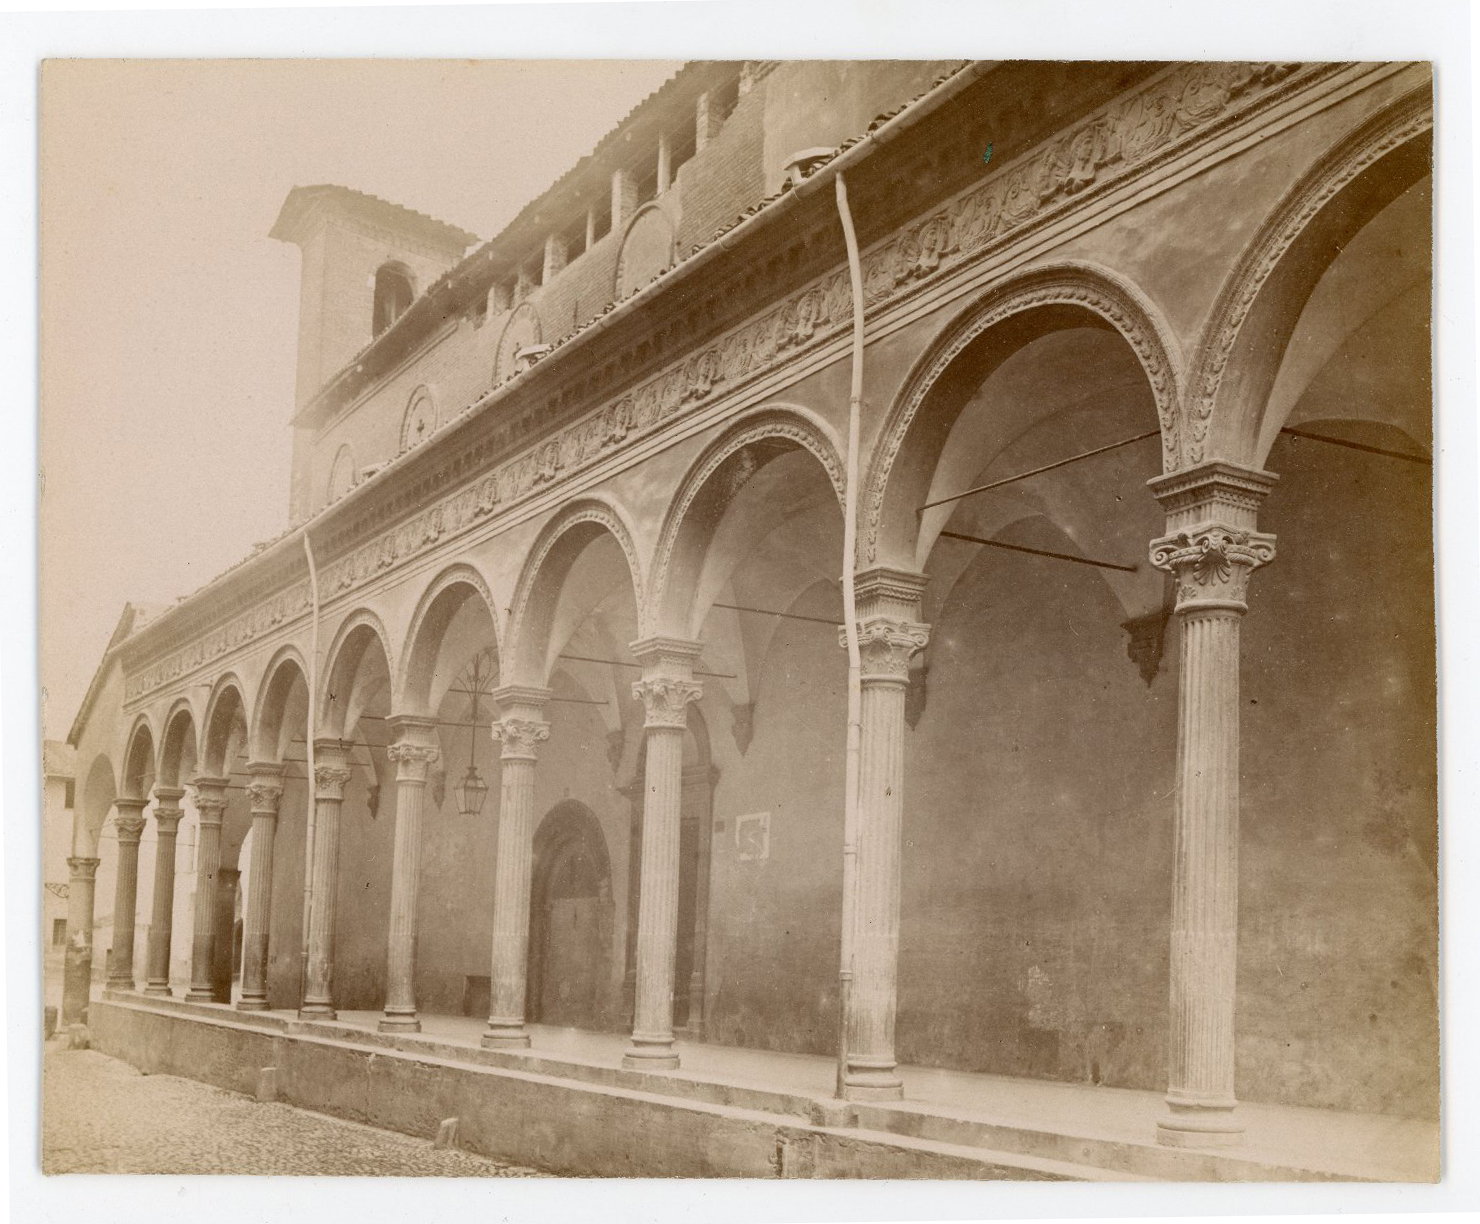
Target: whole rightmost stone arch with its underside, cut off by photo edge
1259,306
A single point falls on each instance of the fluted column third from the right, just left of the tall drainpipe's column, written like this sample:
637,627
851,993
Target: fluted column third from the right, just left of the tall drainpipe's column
665,690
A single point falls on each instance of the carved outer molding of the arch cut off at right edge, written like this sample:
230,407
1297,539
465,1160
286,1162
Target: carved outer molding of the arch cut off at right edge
1379,137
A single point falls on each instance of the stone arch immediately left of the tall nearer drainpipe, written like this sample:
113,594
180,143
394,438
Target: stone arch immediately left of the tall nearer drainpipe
733,458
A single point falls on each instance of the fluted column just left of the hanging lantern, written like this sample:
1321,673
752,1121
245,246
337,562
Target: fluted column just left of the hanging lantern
414,753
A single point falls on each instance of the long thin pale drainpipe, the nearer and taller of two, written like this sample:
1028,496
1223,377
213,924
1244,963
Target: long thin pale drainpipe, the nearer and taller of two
850,611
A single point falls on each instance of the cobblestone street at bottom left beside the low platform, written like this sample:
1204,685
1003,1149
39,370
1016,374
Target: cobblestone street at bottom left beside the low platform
103,1117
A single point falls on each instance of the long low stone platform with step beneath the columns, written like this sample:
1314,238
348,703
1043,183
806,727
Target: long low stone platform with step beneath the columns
569,1106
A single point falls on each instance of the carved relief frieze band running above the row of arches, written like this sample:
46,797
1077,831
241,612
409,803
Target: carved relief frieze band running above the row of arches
1026,192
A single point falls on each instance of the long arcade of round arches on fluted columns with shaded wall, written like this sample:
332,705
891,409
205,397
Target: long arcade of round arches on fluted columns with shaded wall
1133,798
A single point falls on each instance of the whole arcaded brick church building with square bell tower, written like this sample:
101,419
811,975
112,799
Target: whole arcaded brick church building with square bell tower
539,711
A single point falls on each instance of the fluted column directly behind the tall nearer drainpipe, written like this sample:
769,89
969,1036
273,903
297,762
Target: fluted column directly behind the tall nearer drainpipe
889,637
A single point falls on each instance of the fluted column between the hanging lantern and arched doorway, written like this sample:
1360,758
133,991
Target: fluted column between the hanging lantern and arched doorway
520,727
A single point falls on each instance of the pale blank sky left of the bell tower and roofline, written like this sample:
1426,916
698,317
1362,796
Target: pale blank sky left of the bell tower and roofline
169,319
